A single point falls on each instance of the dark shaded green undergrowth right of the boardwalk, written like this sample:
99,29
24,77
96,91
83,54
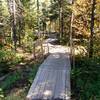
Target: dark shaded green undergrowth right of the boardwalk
86,78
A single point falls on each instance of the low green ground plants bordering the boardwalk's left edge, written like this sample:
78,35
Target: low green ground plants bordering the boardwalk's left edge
12,79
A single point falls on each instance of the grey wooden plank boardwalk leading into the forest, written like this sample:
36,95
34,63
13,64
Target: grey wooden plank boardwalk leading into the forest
52,81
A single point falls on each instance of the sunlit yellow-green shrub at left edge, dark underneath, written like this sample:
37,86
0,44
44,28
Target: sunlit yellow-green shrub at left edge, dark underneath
7,59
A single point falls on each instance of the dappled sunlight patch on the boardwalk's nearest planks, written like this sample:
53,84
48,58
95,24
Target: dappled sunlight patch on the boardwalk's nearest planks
43,91
